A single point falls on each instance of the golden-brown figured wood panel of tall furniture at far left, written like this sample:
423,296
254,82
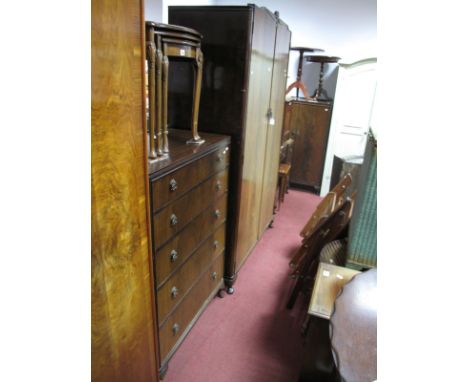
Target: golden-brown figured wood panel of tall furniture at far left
122,322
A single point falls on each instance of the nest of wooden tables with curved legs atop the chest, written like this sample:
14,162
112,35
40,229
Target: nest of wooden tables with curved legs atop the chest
165,42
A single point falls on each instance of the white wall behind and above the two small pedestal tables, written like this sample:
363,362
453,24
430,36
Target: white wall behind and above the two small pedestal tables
343,28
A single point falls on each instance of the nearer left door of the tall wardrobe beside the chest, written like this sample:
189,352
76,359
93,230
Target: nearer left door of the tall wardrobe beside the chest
255,138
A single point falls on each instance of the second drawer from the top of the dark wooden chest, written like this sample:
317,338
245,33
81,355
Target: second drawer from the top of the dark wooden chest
172,219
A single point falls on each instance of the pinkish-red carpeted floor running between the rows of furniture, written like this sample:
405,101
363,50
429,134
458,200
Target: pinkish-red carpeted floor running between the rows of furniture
250,336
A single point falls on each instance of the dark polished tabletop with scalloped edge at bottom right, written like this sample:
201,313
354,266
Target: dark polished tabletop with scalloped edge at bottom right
353,328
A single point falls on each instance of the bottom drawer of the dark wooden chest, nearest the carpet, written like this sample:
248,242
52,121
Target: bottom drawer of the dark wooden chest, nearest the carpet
183,316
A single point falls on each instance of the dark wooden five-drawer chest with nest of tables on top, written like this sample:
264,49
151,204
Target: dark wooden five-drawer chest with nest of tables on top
189,209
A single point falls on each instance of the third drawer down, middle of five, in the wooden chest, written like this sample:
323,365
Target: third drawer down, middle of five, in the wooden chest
169,257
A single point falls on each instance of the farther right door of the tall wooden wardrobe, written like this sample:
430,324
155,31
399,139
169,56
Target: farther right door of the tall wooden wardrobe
274,126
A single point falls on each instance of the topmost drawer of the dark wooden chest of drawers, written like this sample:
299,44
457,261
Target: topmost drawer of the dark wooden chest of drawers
175,184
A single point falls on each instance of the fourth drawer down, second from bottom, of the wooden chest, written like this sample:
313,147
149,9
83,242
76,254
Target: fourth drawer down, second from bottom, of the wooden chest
175,289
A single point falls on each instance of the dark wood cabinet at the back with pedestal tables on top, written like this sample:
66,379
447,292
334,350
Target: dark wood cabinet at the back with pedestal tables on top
310,123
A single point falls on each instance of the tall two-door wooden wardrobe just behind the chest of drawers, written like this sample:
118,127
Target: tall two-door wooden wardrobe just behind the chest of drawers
246,51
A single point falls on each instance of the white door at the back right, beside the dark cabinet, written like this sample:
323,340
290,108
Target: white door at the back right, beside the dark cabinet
352,110
